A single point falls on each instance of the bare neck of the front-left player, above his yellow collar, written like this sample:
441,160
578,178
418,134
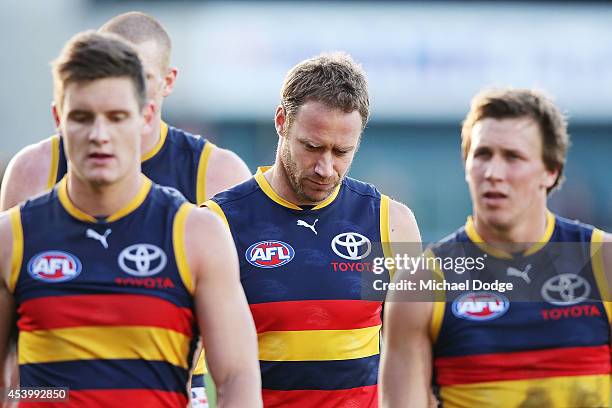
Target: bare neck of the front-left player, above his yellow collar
103,200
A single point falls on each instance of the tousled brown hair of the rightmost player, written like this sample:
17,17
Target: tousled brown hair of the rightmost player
516,103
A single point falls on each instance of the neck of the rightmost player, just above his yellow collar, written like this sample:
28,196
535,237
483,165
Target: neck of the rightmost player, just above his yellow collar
518,236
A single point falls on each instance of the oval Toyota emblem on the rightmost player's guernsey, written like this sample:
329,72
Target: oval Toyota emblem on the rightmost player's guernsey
566,289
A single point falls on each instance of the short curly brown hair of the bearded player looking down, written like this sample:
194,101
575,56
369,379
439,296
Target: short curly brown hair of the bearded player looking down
332,78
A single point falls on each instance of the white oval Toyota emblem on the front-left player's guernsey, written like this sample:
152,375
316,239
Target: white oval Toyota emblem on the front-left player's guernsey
142,260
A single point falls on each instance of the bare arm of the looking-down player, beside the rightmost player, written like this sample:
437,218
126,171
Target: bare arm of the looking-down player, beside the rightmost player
406,365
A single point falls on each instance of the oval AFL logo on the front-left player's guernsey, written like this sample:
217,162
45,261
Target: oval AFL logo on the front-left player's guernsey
54,266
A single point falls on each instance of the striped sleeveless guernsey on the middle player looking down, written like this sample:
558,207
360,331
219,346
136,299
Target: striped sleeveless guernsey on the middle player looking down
305,274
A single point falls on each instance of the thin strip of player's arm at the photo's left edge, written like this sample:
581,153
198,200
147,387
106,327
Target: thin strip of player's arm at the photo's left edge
7,306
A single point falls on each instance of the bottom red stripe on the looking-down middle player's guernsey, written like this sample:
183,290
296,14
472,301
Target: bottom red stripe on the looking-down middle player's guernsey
362,397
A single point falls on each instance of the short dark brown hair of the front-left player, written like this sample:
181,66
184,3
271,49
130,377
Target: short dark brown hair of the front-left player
91,55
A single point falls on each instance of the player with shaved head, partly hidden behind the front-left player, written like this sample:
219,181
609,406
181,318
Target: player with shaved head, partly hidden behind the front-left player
171,157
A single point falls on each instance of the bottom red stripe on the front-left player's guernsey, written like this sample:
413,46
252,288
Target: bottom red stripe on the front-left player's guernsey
116,398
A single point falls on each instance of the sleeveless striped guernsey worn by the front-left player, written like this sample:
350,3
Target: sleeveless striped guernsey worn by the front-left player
105,306
